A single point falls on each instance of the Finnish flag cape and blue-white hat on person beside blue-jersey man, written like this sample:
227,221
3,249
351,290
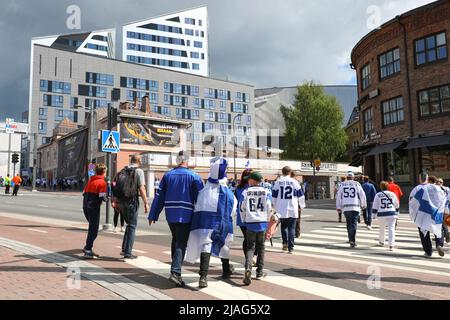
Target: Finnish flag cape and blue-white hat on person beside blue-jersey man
212,222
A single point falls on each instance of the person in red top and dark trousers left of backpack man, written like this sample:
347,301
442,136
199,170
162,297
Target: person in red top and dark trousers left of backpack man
93,196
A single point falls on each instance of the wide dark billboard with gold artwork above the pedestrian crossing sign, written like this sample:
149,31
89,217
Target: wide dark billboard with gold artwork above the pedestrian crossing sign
149,133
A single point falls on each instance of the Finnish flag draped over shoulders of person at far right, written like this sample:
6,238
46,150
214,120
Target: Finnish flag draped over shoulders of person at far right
426,208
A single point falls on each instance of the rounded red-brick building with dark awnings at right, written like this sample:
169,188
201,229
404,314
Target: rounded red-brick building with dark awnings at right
404,95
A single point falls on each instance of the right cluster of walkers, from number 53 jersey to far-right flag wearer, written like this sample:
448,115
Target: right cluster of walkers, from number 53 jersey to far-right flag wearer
428,204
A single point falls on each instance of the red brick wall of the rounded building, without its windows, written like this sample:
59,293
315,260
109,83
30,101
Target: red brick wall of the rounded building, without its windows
421,23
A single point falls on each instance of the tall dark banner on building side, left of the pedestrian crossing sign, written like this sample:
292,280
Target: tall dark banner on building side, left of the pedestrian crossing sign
72,156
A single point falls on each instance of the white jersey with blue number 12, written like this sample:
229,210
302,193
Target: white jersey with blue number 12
287,197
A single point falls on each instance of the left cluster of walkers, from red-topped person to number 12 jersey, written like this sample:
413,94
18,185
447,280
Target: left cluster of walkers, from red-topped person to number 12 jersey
201,215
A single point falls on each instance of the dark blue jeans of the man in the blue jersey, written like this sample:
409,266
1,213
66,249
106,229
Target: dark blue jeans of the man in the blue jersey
180,235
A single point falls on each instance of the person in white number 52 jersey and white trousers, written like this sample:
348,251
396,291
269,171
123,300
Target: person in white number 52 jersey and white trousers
385,207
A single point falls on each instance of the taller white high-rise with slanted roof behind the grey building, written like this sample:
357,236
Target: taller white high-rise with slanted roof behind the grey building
177,41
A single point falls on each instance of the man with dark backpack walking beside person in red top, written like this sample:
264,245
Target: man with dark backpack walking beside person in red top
127,186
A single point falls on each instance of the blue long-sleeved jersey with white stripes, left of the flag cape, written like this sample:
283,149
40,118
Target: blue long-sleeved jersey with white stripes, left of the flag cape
177,193
